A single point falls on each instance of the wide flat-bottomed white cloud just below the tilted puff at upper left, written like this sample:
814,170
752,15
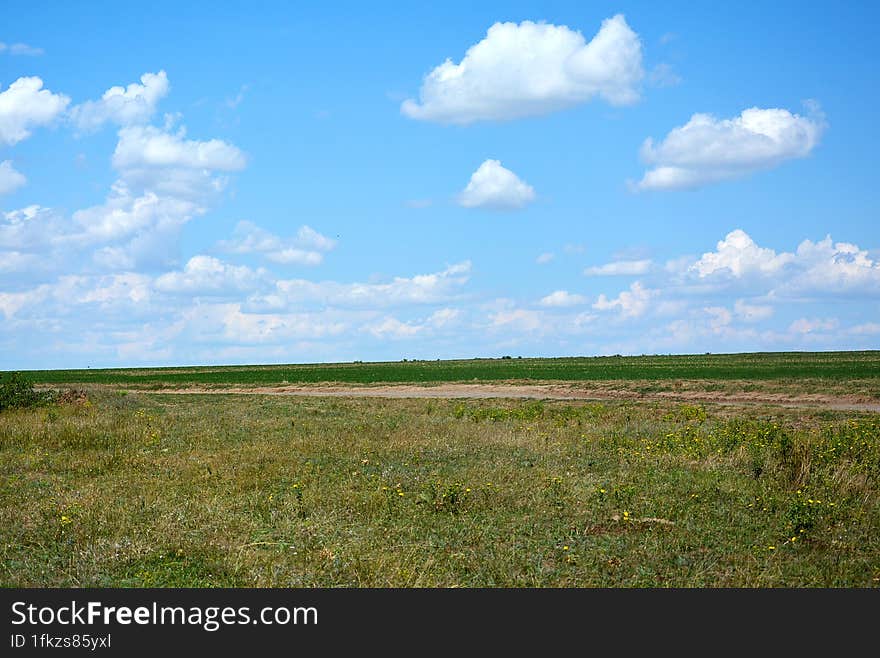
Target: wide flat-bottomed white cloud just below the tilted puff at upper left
148,146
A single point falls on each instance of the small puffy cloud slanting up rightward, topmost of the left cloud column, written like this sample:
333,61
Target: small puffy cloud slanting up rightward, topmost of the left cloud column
124,106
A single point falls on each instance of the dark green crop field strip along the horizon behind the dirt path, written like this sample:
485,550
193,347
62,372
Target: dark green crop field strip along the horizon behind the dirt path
765,366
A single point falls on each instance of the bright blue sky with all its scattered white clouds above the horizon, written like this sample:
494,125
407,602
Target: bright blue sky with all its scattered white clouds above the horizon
182,183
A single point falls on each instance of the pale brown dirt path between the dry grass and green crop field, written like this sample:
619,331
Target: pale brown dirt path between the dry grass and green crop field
549,392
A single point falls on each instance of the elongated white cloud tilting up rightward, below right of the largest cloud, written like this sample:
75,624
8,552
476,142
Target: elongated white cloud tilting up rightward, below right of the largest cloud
706,149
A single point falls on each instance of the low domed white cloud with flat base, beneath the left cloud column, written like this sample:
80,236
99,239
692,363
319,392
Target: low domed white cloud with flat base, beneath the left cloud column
207,275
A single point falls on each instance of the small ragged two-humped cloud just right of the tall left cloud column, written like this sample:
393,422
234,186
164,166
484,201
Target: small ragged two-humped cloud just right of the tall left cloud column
307,248
